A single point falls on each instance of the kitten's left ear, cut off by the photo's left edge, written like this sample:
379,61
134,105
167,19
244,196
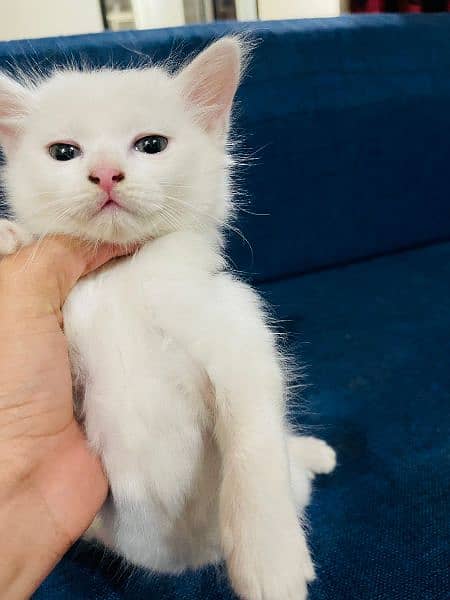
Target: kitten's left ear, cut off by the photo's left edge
15,102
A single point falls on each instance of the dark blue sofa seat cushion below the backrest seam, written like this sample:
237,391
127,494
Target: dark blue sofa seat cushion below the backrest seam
375,339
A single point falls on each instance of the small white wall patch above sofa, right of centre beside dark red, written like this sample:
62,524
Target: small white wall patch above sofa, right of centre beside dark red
297,9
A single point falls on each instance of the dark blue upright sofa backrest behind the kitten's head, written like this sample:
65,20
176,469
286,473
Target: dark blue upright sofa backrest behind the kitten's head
346,129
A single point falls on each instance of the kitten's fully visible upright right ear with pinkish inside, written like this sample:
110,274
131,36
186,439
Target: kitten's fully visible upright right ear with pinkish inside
210,81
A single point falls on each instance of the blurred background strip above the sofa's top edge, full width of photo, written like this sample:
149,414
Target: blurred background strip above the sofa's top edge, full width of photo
41,18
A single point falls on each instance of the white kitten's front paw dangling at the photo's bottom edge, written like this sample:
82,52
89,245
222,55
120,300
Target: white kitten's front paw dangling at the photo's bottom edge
279,570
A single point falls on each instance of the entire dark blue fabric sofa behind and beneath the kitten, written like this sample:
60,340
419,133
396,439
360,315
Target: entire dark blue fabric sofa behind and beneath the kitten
347,123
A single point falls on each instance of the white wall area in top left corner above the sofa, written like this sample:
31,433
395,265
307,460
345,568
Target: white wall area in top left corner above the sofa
41,18
